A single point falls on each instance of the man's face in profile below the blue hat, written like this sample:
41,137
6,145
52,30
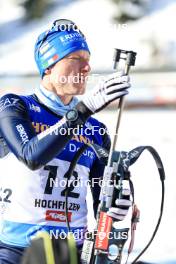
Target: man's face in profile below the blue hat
69,75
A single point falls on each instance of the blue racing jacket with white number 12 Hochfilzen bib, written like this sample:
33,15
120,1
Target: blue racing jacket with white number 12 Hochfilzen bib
36,148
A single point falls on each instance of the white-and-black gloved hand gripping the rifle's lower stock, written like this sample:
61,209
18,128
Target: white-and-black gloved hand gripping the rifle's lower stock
122,206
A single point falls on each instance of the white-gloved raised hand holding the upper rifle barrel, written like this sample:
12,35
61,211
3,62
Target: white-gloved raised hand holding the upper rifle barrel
115,86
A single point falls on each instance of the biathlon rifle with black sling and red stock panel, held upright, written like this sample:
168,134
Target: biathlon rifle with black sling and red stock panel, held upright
98,247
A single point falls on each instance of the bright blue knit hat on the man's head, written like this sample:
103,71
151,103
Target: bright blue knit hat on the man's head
54,44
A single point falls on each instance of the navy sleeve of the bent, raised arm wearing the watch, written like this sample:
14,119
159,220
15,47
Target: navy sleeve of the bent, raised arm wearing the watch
17,131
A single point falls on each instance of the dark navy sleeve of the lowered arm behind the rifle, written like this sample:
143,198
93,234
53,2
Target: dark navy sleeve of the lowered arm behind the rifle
96,174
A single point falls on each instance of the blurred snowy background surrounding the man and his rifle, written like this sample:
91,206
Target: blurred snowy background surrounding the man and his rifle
144,26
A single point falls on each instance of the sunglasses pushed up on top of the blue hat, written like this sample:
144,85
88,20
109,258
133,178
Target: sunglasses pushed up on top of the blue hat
61,25
